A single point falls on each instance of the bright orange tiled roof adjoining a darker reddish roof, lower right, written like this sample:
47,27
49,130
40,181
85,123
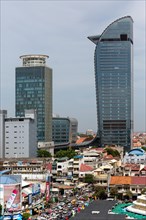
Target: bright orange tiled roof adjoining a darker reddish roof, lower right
118,180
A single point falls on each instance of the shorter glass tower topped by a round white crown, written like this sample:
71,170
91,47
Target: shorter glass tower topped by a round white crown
34,91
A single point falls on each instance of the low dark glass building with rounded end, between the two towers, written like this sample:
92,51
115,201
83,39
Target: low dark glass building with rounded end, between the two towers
64,130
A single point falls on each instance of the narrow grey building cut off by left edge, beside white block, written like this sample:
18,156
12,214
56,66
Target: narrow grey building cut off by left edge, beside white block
3,115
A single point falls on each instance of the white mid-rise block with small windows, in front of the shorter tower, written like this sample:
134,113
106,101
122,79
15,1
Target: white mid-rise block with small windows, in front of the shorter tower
21,136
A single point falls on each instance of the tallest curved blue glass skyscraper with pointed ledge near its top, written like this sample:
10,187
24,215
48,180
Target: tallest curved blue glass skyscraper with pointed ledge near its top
113,61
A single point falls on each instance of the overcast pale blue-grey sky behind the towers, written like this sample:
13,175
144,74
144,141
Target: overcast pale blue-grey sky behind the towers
60,29
